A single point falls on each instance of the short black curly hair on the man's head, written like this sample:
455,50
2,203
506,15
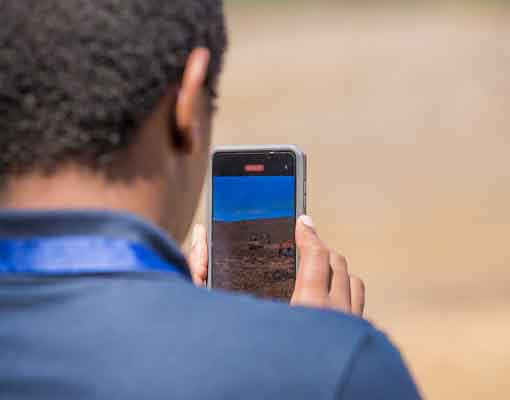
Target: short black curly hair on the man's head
77,77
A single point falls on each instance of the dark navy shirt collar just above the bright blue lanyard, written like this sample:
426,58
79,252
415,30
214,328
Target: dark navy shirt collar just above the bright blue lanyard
79,224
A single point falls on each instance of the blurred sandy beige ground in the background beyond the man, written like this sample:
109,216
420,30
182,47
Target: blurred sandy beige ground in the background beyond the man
405,115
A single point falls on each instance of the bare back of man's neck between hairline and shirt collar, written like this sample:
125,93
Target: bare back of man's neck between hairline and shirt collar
76,188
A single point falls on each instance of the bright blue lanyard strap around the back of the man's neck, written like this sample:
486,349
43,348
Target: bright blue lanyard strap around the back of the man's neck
77,255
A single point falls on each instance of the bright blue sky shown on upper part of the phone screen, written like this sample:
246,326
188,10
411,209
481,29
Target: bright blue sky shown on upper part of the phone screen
244,198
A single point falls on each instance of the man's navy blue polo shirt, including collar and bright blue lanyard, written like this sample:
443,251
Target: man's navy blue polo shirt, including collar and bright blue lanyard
99,305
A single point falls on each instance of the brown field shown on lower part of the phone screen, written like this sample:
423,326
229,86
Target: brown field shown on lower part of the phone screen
255,257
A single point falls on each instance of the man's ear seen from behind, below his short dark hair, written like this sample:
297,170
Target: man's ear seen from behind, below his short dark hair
189,101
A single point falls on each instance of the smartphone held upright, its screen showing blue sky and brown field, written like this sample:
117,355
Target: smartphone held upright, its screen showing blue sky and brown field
256,195
